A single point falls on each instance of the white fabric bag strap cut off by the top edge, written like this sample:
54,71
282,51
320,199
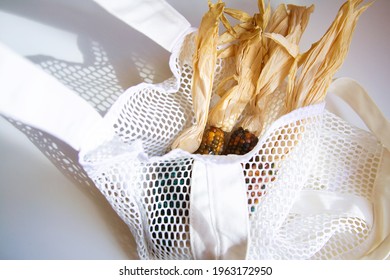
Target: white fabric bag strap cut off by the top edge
154,18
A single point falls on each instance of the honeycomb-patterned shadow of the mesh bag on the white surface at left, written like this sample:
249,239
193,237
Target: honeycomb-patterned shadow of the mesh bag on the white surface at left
96,82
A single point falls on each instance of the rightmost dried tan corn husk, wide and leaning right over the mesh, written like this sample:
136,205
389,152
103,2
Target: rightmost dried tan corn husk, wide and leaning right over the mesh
318,65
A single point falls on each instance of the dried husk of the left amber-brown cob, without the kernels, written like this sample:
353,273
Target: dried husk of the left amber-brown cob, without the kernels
248,60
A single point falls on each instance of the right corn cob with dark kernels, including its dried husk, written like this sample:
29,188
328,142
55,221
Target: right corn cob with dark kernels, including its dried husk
244,139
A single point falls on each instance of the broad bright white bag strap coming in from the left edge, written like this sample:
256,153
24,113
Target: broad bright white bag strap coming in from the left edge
31,96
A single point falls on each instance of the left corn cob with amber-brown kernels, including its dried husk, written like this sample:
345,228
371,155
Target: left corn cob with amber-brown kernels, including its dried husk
224,115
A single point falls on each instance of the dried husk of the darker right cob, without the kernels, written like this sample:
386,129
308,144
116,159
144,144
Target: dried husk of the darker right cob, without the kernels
282,52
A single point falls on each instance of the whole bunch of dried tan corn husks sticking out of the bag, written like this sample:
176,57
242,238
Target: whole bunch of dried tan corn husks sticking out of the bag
266,52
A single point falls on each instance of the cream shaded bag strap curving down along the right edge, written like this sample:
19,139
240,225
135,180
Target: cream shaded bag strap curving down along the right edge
351,92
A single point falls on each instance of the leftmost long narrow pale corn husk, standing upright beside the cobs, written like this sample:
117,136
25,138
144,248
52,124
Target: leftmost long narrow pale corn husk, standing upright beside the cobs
204,62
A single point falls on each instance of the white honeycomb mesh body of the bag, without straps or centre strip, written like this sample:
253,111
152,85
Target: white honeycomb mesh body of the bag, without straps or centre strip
307,150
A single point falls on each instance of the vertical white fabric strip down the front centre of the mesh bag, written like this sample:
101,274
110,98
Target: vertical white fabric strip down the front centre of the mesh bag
219,230
